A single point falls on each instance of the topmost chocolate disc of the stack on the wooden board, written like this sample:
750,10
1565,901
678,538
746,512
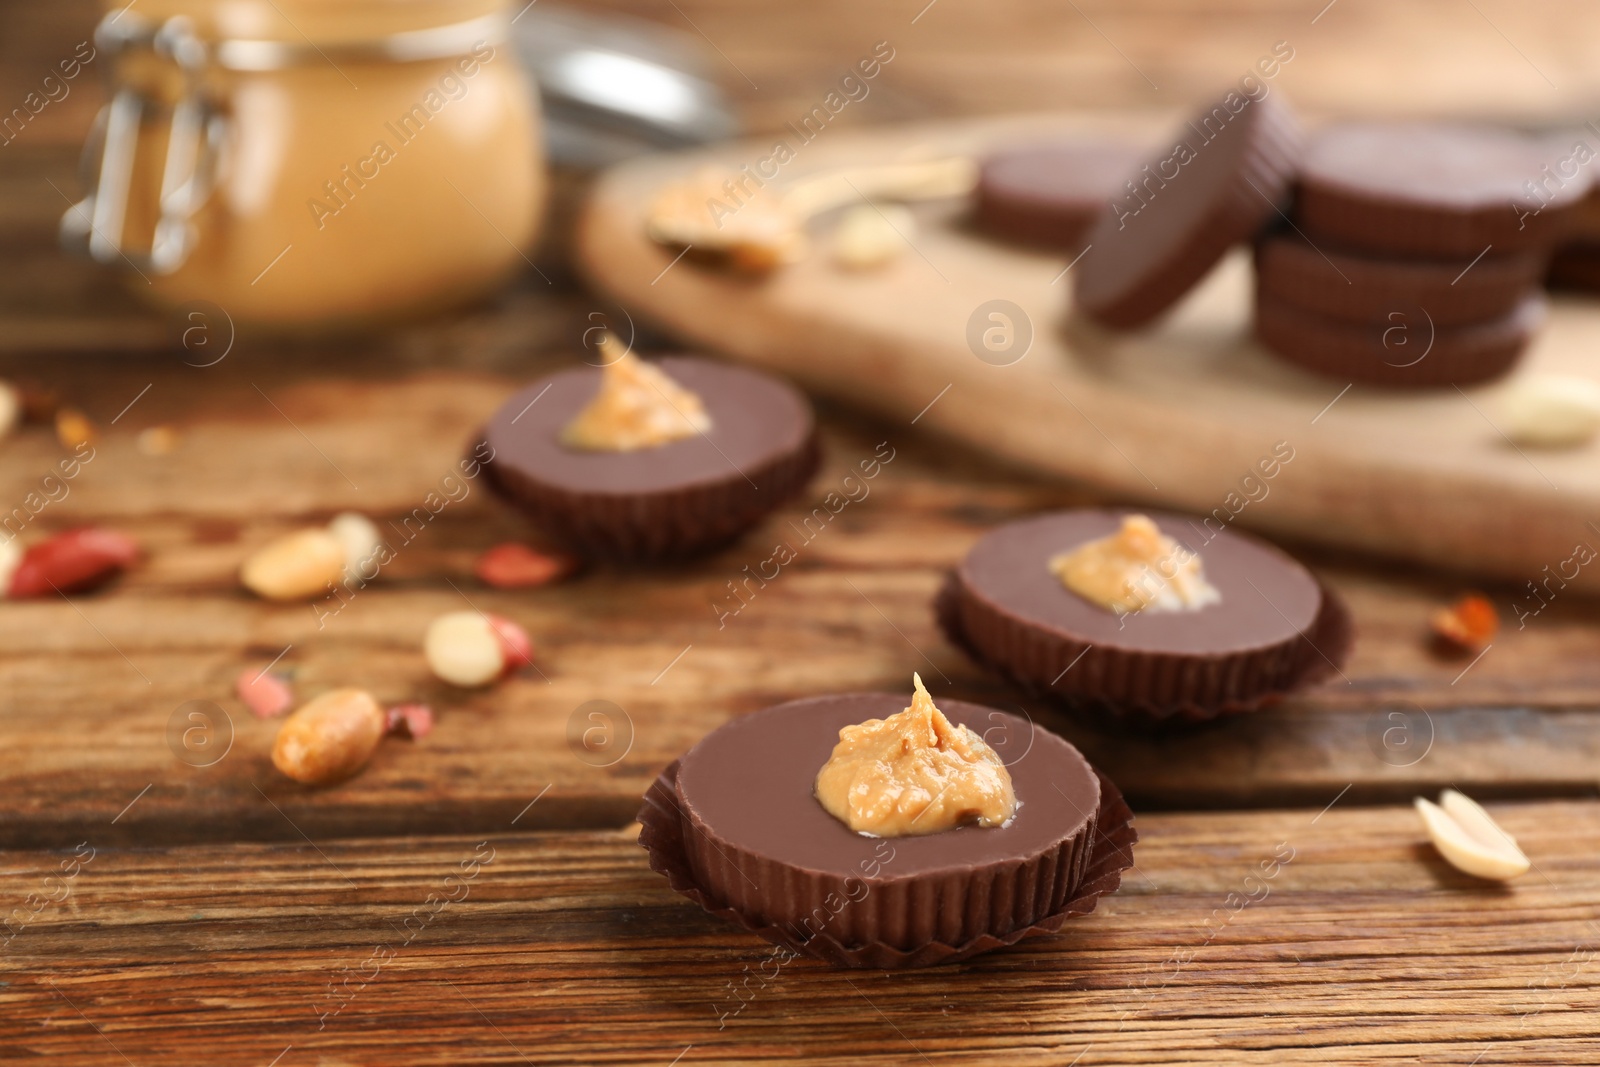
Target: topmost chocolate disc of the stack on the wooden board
1434,191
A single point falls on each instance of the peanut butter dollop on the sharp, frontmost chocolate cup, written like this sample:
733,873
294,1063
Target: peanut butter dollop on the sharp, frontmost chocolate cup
914,773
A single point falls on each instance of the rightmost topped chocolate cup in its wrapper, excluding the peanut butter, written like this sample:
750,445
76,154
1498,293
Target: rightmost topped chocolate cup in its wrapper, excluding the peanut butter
1274,628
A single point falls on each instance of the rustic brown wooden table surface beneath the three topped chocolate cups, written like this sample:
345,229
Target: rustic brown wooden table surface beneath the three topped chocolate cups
226,916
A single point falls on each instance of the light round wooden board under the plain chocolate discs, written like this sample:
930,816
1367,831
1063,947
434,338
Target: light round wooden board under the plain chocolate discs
1180,415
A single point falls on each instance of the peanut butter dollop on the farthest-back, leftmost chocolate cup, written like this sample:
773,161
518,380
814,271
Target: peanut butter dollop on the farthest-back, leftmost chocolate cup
638,407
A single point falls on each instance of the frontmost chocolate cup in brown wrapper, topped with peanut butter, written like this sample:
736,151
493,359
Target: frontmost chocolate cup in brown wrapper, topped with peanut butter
740,825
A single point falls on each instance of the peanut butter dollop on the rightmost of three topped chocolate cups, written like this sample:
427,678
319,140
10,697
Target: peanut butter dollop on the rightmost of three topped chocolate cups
1138,569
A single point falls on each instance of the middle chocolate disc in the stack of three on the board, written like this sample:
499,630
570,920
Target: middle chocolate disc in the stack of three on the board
1369,290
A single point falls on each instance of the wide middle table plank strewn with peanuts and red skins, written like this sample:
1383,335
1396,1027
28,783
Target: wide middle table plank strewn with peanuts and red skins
676,652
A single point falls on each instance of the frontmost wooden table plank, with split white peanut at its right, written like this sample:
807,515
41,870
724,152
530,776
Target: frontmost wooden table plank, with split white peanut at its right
564,948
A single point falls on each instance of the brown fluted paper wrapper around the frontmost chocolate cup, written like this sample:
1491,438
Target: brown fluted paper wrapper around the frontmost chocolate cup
1111,853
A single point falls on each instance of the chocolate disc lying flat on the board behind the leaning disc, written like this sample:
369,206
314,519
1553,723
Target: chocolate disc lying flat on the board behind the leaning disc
1050,194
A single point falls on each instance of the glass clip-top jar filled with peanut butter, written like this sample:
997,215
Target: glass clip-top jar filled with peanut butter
313,162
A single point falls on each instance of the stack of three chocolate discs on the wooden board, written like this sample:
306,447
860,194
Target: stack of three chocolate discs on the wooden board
1414,254
